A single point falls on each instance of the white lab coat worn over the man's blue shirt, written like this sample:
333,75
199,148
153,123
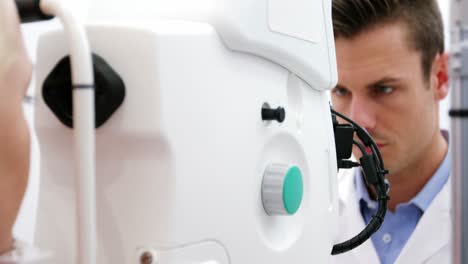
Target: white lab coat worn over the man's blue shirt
429,243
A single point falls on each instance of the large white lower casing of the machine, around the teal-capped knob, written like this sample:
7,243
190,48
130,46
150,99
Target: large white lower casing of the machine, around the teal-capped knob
180,164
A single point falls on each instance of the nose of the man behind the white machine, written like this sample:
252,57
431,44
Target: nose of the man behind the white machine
362,112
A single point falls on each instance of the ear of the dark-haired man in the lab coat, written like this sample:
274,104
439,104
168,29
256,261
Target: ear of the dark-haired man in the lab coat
439,76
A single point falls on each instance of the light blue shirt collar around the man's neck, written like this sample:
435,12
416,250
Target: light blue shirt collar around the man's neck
424,198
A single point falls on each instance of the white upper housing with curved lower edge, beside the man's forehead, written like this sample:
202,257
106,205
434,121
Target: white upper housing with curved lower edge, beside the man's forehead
297,34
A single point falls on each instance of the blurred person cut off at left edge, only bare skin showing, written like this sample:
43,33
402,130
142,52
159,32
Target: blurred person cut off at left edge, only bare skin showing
15,74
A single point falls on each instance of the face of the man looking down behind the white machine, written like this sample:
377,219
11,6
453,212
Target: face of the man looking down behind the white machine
381,86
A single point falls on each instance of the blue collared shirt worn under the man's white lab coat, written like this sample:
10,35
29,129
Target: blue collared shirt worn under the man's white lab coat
398,226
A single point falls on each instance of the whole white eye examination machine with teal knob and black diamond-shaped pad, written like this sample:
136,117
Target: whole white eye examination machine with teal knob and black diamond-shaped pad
213,141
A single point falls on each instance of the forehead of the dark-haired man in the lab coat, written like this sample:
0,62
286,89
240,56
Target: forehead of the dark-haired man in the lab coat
379,54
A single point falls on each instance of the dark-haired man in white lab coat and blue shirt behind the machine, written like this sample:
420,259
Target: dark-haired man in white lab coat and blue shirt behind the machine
392,73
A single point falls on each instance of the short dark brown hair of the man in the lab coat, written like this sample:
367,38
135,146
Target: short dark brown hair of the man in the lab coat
422,17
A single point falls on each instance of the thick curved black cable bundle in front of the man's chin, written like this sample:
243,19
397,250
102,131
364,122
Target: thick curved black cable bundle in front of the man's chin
374,172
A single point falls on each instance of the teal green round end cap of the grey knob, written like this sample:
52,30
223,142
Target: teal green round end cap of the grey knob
293,190
